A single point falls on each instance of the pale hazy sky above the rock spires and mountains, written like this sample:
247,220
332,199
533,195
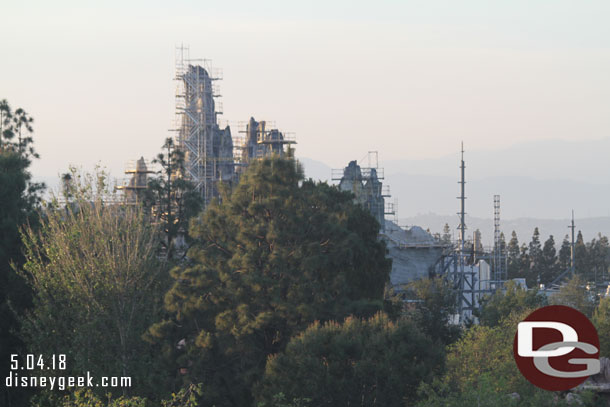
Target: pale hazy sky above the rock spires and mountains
407,78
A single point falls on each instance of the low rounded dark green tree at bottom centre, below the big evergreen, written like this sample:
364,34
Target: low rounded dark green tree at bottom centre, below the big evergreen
373,362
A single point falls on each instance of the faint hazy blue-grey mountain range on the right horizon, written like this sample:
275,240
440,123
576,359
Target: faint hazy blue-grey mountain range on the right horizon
539,184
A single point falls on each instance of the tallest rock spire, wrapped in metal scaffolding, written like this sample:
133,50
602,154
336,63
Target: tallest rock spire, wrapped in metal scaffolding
208,149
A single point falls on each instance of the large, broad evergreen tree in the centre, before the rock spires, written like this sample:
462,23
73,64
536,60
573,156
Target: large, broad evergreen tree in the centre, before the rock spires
276,255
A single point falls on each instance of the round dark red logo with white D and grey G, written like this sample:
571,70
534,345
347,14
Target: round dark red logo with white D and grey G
556,348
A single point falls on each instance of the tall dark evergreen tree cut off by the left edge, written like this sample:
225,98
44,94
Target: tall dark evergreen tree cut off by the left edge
19,199
